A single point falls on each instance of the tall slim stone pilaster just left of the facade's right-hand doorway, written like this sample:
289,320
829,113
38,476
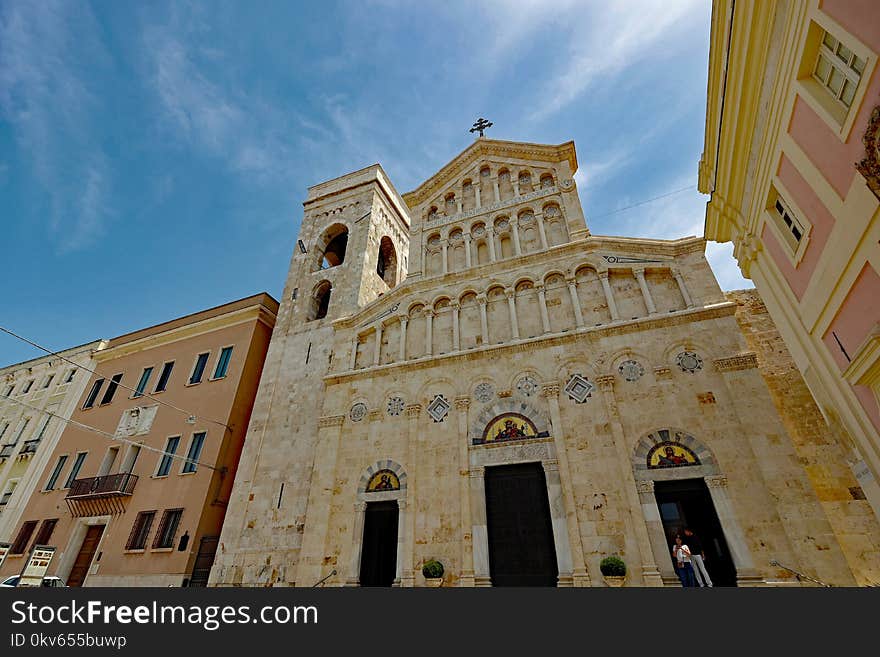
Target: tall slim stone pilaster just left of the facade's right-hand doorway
635,521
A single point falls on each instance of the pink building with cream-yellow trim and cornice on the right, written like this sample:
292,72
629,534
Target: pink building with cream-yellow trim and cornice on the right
792,164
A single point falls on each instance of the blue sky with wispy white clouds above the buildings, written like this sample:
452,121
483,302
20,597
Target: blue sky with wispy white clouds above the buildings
154,156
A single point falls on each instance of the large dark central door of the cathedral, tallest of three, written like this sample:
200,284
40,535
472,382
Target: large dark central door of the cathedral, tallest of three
521,547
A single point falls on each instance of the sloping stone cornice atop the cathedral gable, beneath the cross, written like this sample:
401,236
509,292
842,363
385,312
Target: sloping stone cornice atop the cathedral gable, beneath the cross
484,149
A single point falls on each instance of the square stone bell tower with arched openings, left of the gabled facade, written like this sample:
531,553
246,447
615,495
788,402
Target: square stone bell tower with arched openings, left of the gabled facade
352,248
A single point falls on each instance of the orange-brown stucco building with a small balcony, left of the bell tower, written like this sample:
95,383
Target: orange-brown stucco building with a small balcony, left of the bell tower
136,489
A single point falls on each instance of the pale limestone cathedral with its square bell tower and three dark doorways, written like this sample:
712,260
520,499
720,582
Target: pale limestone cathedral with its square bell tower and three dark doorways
464,373
